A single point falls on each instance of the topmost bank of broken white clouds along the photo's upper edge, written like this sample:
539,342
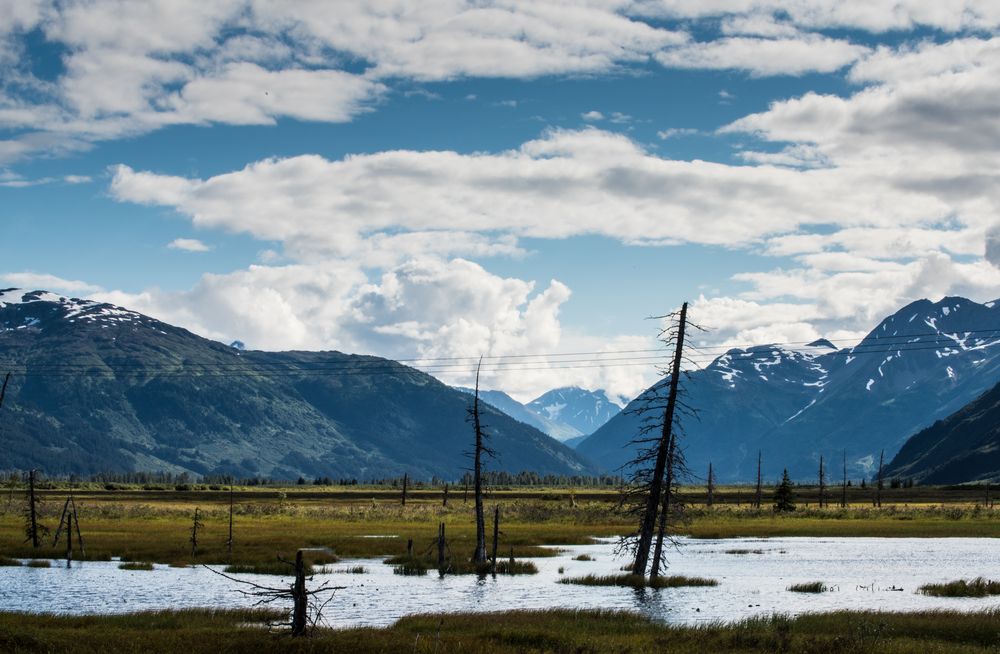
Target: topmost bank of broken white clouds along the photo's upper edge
133,68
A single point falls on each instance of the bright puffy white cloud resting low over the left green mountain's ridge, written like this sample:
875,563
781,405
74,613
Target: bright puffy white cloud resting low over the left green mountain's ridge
450,312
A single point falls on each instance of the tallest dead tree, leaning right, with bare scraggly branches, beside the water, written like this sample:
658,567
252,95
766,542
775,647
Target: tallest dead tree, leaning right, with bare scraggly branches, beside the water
648,484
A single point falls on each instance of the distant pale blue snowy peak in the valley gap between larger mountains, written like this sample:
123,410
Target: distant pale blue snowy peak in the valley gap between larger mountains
566,414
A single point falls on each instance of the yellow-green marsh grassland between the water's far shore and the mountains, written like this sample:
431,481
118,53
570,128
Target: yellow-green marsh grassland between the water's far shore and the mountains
155,525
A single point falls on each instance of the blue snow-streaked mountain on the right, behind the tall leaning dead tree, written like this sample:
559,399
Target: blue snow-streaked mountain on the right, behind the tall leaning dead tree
797,403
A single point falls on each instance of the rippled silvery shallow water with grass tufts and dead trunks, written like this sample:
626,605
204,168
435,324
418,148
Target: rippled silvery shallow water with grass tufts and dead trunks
861,572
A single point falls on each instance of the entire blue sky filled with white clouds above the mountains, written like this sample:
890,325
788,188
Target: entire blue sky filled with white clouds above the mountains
448,179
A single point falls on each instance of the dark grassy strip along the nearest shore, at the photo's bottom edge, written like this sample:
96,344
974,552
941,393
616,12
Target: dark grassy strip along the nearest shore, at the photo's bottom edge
195,632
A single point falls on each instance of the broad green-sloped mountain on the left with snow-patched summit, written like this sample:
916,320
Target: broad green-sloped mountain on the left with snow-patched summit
97,387
